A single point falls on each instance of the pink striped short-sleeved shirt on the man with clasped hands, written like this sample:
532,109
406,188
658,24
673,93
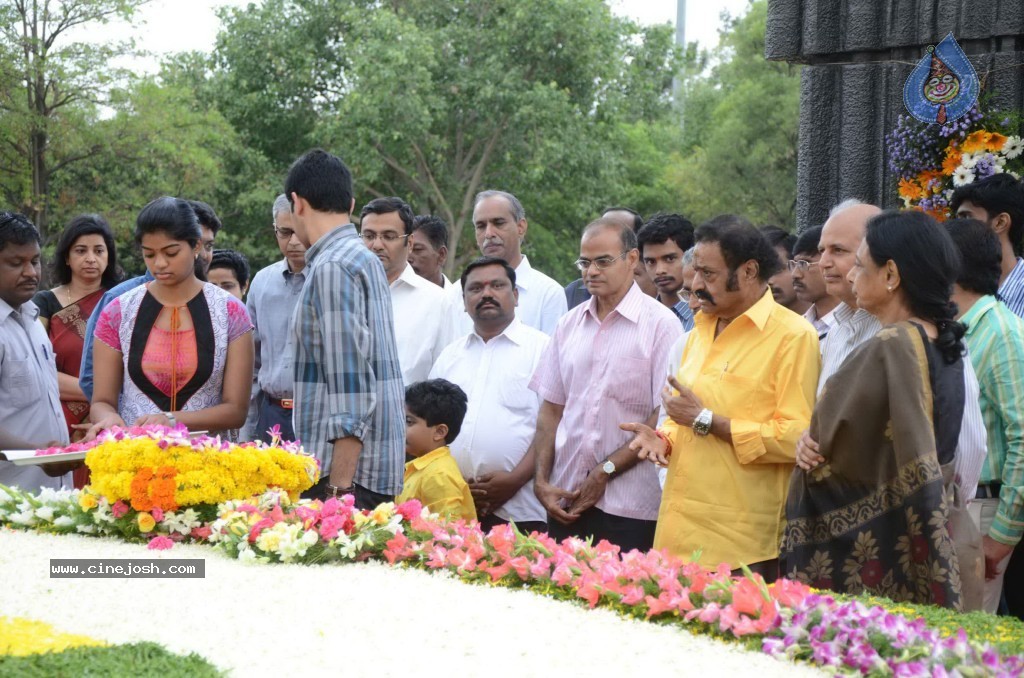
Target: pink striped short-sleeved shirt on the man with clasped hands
607,373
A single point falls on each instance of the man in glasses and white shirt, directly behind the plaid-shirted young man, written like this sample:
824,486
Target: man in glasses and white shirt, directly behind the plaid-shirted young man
422,320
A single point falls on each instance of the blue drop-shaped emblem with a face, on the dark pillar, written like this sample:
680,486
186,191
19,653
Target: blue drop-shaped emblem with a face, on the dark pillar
944,87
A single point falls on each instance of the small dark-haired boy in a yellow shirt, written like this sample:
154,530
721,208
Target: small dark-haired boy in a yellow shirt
435,411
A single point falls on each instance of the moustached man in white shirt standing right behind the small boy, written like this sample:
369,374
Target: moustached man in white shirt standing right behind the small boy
494,365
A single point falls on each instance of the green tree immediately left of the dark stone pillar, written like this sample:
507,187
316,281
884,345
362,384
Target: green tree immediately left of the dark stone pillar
739,149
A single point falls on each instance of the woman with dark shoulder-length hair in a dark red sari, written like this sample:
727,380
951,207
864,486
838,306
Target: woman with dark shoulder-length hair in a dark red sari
86,265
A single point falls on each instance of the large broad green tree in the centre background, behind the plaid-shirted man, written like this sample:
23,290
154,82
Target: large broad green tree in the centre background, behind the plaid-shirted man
435,102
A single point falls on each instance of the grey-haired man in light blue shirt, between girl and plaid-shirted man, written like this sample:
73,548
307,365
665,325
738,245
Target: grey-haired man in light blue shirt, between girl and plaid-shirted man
273,296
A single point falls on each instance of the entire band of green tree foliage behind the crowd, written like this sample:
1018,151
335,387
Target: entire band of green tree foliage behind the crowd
560,102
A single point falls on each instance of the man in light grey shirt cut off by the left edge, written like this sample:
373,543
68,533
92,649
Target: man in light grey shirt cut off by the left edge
31,416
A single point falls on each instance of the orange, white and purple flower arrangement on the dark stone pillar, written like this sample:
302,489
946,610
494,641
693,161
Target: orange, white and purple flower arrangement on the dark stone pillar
931,160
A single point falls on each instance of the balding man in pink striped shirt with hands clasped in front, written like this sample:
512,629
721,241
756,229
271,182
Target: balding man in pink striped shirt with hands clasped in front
605,366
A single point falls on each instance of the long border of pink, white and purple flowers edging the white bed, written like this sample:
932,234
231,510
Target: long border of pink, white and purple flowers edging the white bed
786,619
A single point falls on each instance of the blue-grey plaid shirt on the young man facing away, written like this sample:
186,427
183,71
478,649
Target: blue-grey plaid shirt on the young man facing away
348,379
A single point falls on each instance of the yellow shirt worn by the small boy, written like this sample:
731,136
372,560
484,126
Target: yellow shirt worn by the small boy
436,481
